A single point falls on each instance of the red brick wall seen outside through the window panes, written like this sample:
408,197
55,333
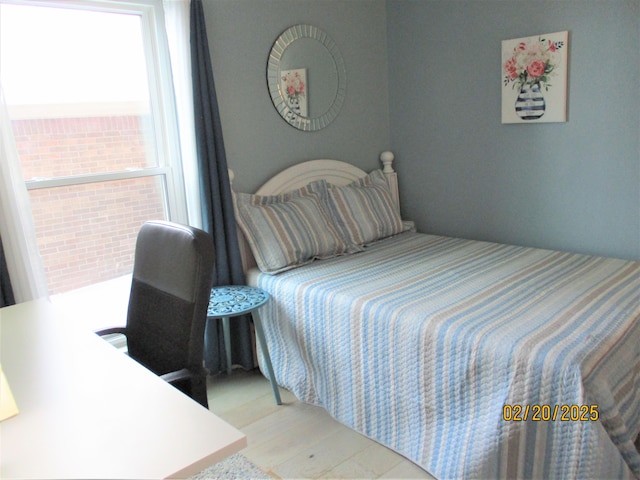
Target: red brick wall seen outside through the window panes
86,233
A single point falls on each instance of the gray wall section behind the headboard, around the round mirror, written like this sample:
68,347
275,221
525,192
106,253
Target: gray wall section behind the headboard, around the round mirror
257,141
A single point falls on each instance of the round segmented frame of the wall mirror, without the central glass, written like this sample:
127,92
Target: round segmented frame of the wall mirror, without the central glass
273,77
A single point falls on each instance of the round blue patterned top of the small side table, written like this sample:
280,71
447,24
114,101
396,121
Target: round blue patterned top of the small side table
234,300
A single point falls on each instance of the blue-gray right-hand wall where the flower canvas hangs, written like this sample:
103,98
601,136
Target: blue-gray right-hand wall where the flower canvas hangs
570,186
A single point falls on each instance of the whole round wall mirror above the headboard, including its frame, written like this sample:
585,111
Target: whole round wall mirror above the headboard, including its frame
306,77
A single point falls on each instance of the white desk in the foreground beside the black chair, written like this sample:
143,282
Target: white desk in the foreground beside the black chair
88,411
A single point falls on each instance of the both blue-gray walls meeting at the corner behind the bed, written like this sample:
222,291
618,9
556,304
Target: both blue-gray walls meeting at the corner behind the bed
424,79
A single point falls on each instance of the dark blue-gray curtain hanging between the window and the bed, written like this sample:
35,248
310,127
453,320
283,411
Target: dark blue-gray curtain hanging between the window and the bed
217,204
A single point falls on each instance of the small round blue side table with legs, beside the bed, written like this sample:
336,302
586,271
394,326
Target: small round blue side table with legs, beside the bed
234,300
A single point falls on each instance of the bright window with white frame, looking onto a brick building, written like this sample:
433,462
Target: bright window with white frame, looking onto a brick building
87,87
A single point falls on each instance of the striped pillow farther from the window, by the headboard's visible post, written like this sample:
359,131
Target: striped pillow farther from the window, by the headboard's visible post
365,211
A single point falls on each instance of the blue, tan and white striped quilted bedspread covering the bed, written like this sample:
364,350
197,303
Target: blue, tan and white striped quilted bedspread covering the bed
436,347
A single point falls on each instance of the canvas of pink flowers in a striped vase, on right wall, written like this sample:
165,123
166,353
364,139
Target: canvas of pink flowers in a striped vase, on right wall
534,79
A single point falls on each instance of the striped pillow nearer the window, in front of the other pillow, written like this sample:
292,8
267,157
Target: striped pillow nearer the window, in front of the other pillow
289,230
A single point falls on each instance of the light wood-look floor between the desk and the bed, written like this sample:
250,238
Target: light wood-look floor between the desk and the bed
296,440
